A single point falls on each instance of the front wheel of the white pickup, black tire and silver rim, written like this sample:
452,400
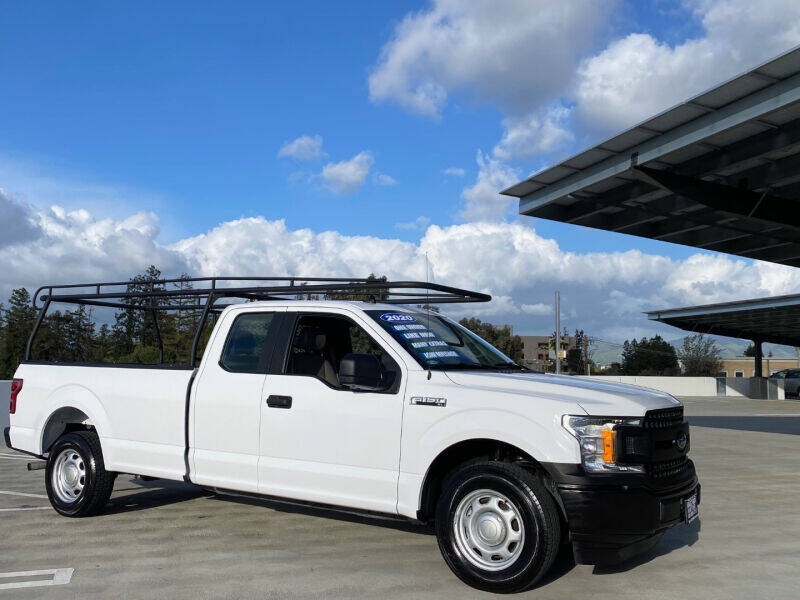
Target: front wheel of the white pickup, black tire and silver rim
498,527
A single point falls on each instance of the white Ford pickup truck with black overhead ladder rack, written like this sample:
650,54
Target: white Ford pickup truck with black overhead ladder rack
378,407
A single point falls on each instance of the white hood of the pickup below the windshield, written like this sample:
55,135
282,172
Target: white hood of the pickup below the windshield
594,396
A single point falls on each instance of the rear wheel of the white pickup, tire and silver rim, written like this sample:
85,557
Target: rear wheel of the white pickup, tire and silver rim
77,483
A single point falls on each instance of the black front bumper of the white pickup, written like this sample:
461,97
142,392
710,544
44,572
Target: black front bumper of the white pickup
614,517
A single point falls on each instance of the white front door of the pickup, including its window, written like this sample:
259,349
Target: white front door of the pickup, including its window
321,441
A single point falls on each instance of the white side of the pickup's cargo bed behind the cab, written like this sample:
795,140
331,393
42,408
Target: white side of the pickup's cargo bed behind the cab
138,409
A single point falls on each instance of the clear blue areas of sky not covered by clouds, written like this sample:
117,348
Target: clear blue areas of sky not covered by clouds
189,103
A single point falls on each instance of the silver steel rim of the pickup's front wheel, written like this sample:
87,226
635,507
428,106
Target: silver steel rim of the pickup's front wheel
488,530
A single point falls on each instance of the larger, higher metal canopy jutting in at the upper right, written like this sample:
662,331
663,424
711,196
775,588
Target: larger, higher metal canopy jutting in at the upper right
719,172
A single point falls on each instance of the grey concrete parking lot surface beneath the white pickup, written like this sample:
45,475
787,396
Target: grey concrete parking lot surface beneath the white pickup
168,540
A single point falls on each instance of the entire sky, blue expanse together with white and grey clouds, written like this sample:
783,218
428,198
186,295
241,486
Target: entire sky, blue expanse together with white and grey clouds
178,112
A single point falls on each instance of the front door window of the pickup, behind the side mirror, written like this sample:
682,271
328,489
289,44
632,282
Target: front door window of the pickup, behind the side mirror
320,342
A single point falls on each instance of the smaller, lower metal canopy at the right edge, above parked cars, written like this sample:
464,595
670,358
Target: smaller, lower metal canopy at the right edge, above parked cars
775,319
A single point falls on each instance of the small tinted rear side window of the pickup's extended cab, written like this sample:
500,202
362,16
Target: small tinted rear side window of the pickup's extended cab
244,350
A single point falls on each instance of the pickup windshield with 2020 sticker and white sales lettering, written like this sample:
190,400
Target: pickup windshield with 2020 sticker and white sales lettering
436,342
